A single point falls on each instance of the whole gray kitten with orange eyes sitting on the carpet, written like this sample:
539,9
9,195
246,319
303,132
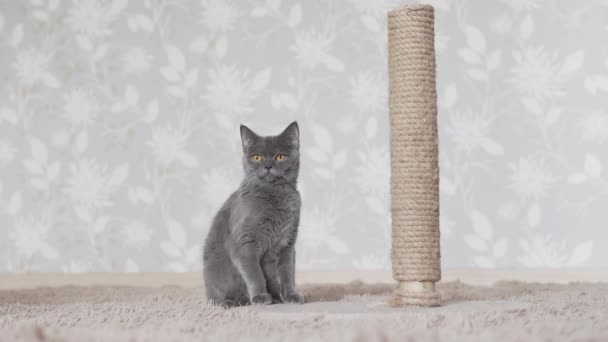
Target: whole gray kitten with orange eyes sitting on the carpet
249,254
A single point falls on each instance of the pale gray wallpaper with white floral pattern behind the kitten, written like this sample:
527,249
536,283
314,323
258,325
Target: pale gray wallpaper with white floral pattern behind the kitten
119,128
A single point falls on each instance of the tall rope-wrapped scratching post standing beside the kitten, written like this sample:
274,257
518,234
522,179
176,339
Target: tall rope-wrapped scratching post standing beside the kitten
414,158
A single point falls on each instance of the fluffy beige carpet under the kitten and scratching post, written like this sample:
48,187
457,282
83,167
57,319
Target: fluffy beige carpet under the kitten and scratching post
507,311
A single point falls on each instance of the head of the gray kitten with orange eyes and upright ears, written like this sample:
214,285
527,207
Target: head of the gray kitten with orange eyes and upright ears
272,159
